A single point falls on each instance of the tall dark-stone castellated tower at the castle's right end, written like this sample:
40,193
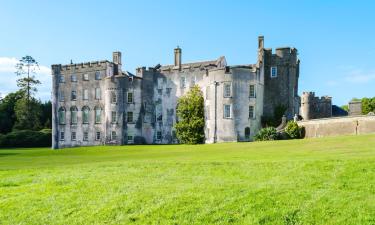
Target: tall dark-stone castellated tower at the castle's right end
281,73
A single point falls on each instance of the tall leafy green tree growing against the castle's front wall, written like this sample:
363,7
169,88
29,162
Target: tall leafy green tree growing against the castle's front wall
190,114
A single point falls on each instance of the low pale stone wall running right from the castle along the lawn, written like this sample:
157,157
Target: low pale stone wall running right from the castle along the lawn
354,125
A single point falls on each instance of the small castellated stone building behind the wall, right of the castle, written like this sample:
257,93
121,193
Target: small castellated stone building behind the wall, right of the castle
313,107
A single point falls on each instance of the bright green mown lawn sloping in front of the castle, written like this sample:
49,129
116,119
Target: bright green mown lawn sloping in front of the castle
314,181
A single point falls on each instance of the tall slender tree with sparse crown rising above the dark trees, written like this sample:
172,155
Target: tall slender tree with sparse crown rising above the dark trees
26,69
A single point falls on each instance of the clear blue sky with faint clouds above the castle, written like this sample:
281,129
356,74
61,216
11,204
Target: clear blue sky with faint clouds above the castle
335,39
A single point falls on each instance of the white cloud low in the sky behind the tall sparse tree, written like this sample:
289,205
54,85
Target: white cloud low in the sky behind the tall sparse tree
8,78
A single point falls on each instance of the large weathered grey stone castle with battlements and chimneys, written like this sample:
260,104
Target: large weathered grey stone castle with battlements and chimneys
97,103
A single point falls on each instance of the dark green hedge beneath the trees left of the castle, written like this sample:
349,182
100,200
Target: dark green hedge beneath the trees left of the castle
26,138
